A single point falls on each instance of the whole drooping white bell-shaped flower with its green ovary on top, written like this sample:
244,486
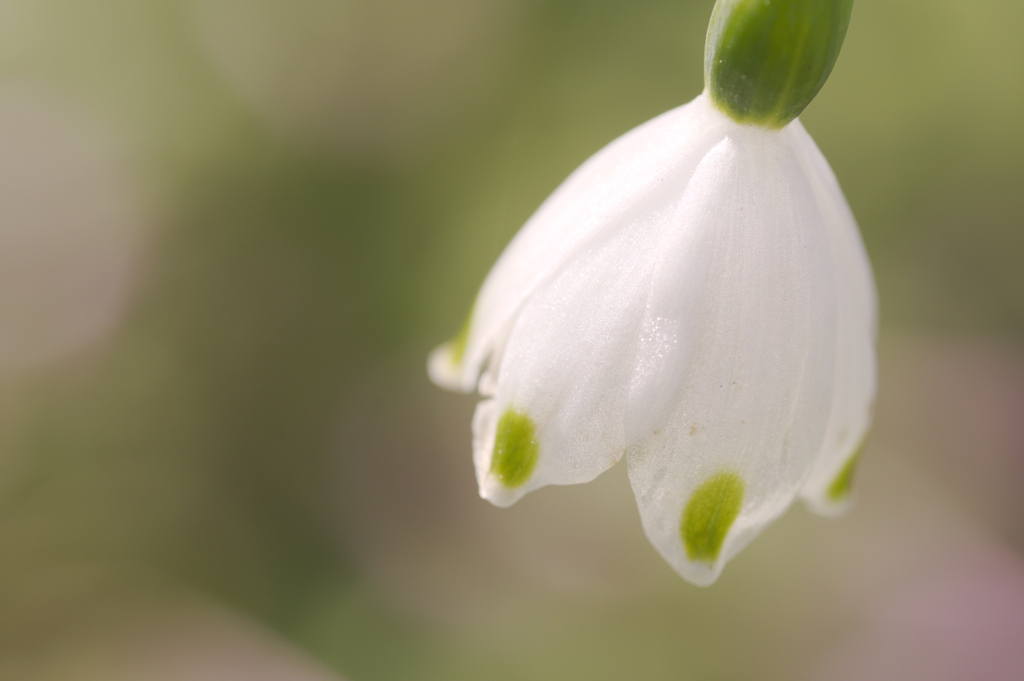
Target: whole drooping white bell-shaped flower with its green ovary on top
696,297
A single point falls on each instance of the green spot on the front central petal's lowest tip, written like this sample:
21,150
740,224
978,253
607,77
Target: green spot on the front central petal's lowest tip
710,514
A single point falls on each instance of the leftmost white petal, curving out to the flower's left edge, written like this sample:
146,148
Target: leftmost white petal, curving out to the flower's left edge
613,189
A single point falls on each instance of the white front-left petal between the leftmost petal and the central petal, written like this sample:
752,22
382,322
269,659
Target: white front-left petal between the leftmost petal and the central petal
568,361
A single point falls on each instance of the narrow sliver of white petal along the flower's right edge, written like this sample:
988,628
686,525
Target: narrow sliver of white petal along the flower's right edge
828,490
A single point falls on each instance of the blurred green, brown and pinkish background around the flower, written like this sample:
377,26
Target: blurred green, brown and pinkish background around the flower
231,231
